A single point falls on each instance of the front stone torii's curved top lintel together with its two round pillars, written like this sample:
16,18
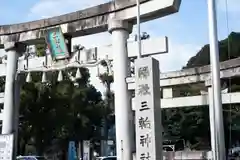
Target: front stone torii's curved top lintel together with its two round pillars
117,17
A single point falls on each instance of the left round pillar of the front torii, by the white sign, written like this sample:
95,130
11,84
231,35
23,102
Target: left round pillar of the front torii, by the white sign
12,91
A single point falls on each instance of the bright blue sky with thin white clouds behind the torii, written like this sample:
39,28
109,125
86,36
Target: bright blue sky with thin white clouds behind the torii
187,30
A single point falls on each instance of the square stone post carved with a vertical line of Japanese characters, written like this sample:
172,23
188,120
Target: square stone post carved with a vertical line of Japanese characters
148,110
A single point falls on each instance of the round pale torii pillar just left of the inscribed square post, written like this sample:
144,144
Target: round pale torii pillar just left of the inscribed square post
123,112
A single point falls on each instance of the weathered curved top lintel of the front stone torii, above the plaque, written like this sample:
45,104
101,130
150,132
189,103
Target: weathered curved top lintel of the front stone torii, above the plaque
87,21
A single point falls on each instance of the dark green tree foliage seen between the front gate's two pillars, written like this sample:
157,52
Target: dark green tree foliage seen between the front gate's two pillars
60,111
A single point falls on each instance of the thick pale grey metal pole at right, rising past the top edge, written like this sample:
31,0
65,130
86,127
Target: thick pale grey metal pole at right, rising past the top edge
217,99
